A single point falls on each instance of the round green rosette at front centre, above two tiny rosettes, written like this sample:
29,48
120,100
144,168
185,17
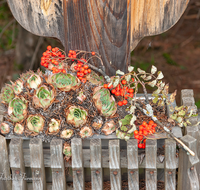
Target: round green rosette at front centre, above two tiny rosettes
76,116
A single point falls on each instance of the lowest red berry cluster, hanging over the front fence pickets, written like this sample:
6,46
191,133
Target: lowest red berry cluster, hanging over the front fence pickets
144,130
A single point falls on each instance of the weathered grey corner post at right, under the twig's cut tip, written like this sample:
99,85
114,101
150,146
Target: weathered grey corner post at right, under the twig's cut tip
187,174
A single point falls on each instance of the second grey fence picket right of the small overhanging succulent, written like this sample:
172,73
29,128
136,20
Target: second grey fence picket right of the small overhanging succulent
96,164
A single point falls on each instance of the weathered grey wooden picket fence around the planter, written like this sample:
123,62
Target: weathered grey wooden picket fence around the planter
15,159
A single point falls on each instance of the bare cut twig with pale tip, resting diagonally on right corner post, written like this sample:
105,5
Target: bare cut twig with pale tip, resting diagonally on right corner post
168,131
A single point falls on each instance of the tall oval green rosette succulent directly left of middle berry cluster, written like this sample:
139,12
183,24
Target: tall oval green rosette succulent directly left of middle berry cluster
104,103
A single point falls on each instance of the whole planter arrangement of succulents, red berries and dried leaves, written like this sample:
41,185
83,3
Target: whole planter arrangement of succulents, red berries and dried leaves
76,98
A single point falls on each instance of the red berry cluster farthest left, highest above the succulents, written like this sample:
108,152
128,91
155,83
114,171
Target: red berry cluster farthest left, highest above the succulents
51,59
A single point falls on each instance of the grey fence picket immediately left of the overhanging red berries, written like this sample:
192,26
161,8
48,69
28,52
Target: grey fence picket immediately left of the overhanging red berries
132,156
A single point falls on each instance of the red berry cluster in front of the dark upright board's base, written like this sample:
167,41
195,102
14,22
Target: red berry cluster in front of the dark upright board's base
82,70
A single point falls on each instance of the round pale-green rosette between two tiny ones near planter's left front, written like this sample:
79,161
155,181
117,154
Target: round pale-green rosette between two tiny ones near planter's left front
35,123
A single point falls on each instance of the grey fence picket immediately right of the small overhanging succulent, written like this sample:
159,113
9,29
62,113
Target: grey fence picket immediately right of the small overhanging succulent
77,164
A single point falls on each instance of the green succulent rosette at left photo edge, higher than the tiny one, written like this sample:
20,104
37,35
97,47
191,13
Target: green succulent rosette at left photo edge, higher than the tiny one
7,94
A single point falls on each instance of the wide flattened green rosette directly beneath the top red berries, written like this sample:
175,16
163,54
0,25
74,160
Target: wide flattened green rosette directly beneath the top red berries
64,82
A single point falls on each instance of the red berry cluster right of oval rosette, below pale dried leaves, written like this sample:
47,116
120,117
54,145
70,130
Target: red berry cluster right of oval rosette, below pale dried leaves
121,90
